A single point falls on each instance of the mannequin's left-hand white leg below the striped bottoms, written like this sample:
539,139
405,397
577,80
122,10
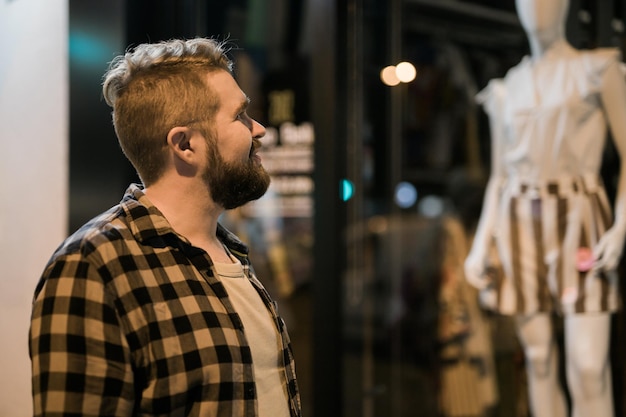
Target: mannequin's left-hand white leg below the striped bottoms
544,388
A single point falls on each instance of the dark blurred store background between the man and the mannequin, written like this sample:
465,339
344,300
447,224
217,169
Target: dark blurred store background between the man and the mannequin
376,188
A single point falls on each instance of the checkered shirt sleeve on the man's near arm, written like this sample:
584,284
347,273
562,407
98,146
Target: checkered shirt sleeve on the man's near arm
80,358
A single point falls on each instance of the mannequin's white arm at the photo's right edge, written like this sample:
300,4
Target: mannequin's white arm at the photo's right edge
609,249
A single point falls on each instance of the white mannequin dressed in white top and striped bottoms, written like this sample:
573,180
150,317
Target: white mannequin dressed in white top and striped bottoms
545,212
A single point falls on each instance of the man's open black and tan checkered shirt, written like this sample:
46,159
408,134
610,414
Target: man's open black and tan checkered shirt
128,320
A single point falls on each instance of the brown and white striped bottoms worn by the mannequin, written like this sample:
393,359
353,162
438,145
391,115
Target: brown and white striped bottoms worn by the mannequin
542,233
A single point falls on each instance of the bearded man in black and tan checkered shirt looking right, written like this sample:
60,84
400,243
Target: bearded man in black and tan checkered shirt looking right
152,308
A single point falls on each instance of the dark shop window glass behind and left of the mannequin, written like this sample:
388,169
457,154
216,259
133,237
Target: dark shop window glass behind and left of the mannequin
417,340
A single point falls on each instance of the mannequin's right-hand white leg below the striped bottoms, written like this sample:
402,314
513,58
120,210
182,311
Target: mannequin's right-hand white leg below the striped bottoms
587,339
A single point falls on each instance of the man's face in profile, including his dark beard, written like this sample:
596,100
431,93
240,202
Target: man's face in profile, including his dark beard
234,173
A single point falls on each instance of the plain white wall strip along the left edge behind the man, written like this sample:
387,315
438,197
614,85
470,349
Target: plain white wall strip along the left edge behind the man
33,174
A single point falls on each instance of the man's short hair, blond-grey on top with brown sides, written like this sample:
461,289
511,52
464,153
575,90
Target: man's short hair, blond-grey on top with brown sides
155,87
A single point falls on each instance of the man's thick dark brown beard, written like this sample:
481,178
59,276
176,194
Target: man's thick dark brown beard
234,184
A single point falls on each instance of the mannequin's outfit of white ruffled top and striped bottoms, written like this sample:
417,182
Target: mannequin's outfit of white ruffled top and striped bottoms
549,131
